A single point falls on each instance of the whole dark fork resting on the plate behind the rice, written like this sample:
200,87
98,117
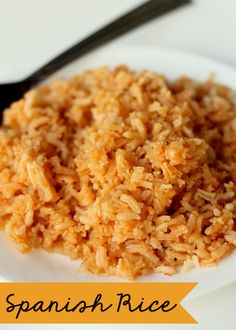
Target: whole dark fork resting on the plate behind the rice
153,8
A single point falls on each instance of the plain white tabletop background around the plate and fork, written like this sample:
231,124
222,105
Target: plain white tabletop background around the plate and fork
32,32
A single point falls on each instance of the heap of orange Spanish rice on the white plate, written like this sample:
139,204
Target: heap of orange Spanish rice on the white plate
123,169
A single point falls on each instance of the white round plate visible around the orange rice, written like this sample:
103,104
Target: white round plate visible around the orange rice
42,266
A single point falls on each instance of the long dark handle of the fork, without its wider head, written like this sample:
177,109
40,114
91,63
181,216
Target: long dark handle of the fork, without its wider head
127,22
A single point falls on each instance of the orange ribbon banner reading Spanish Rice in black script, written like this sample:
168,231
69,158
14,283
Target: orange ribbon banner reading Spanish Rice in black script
94,302
